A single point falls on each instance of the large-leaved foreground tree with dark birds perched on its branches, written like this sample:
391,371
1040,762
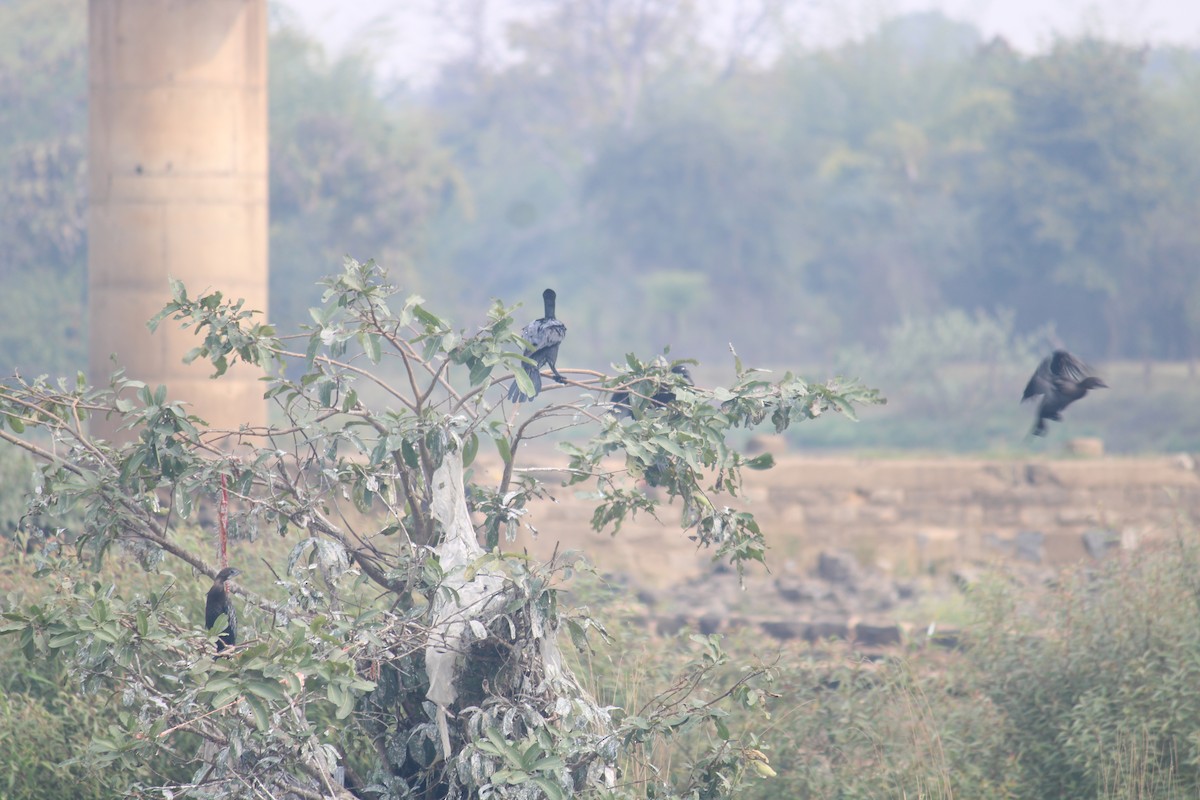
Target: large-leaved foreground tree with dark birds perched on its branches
395,640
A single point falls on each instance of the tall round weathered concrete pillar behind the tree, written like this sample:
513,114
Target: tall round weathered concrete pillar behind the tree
178,187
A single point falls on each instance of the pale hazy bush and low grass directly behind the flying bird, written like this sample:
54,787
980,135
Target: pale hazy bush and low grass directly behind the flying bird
955,382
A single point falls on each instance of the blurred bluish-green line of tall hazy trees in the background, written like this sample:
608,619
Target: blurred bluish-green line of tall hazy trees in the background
806,204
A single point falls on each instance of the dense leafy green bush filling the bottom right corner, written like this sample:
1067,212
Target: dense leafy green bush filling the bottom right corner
1100,681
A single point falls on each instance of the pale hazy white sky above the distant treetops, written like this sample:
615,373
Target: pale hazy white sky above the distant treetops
411,41
